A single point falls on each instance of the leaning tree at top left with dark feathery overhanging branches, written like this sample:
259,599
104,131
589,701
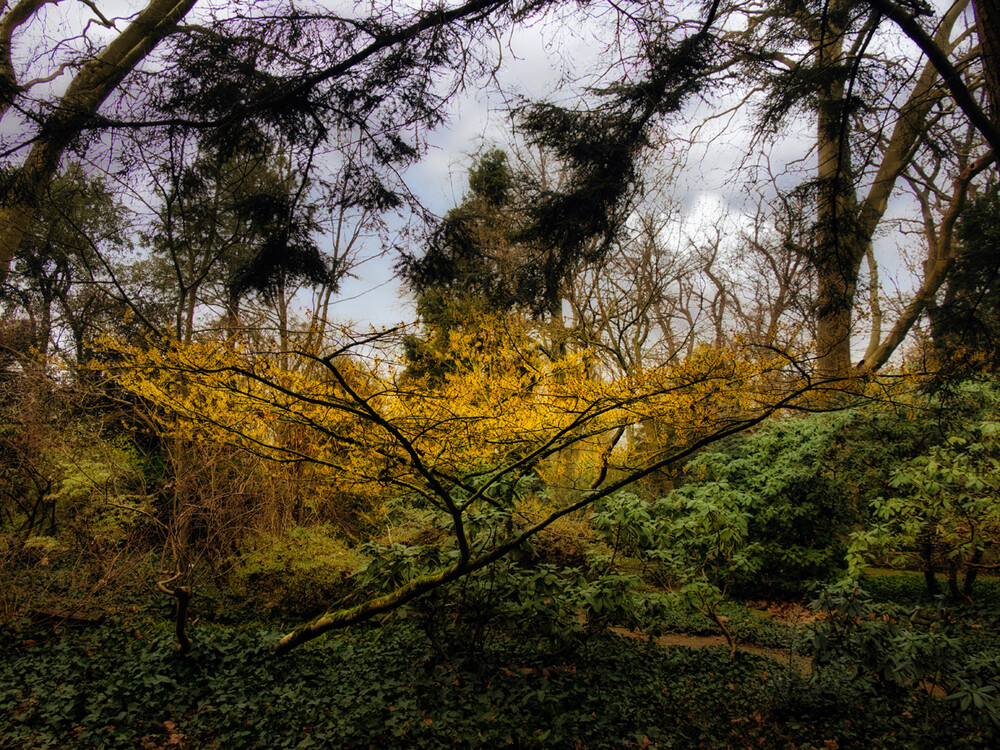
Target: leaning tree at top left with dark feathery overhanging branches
372,78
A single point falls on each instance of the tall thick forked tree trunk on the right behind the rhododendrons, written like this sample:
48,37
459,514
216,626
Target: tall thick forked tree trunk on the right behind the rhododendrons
837,77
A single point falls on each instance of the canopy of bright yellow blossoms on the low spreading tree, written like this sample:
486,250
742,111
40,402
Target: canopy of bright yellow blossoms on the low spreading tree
508,410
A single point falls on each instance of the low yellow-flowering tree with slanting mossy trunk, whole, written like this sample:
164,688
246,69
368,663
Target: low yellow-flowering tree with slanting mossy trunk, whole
456,445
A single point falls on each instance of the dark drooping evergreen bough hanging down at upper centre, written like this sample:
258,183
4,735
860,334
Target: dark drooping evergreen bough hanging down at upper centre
601,149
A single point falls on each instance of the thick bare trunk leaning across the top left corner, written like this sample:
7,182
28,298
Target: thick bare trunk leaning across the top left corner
88,90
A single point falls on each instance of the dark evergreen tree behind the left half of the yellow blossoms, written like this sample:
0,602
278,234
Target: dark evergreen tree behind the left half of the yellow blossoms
231,224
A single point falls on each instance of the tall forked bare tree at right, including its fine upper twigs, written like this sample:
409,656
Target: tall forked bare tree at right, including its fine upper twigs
872,110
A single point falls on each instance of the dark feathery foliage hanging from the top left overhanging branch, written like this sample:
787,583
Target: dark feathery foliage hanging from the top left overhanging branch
376,81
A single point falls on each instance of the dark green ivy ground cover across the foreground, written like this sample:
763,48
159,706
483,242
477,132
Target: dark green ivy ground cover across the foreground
113,687
